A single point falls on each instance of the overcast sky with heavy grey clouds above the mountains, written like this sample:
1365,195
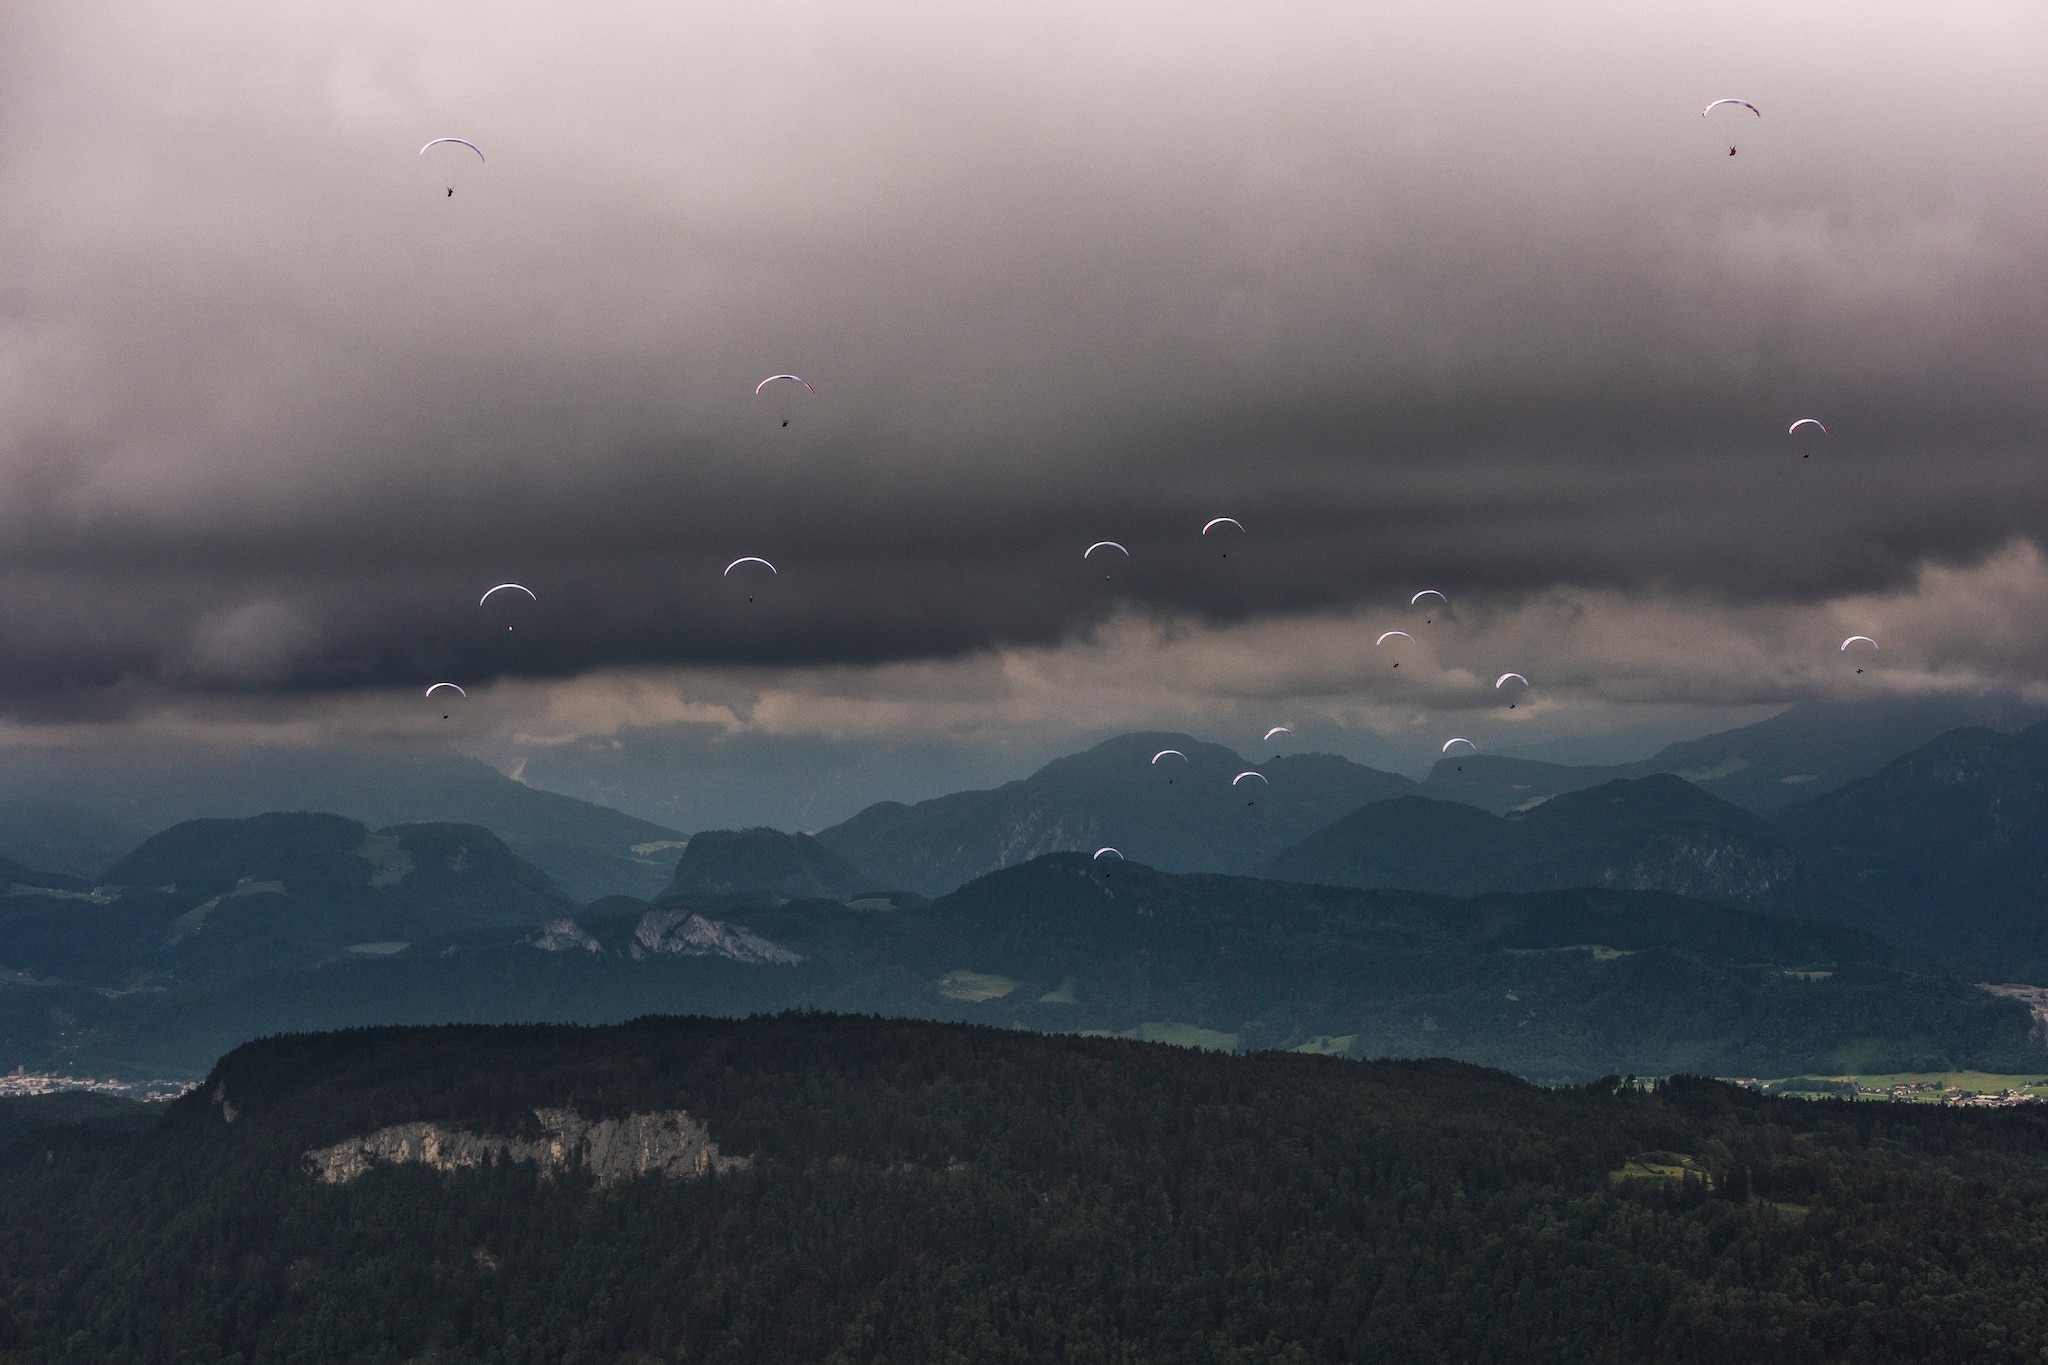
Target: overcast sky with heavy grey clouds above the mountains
1463,298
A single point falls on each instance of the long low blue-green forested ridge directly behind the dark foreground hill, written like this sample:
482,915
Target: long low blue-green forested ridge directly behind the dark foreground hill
1553,985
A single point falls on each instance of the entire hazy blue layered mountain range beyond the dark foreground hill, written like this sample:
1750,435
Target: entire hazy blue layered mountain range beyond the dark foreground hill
1641,924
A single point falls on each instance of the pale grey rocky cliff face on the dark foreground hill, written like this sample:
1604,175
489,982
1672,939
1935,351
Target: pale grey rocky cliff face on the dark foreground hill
671,1145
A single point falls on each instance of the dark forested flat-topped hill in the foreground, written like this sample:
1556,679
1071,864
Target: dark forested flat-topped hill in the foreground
923,1192
